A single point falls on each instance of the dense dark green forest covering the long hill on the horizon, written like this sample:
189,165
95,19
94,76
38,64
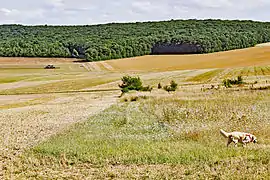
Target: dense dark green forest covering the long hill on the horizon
112,41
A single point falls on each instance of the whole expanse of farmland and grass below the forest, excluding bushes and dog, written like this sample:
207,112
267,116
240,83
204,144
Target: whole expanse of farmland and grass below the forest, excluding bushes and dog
71,123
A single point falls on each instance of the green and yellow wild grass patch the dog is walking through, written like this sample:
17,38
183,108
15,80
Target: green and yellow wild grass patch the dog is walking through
166,132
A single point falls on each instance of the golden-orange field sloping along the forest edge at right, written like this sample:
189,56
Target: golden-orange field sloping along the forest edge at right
236,58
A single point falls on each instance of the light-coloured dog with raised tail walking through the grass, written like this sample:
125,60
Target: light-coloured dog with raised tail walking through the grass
238,137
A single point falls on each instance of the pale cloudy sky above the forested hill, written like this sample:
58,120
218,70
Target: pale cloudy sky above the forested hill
103,11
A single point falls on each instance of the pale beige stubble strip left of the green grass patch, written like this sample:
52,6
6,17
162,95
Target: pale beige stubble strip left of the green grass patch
22,128
